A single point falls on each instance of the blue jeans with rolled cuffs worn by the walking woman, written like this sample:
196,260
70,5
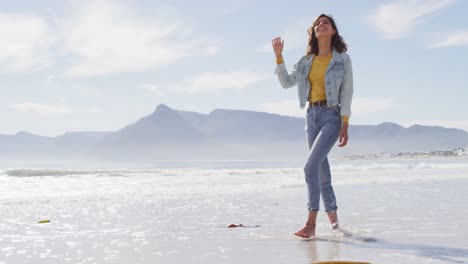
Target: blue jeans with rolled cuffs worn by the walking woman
323,126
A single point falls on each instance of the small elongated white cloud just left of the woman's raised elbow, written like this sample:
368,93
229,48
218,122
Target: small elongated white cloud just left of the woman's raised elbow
212,82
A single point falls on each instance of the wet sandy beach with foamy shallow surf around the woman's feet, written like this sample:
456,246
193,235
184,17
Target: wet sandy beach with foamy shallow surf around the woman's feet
408,211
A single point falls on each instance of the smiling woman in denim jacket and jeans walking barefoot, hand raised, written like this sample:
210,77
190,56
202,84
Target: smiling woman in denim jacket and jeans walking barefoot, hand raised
325,81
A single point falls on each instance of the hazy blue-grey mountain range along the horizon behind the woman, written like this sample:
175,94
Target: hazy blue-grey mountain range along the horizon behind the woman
172,135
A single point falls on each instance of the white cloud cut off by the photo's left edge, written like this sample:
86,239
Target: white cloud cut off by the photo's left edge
25,41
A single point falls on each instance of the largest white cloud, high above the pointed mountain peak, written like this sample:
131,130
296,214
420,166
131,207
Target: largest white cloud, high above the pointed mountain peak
106,37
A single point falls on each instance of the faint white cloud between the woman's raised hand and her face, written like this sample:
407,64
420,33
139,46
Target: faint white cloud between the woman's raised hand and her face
295,36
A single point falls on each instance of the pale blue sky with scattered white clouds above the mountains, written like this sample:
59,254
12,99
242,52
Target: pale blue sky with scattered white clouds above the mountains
100,65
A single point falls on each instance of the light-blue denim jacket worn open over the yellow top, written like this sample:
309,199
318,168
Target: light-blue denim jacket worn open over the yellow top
338,80
